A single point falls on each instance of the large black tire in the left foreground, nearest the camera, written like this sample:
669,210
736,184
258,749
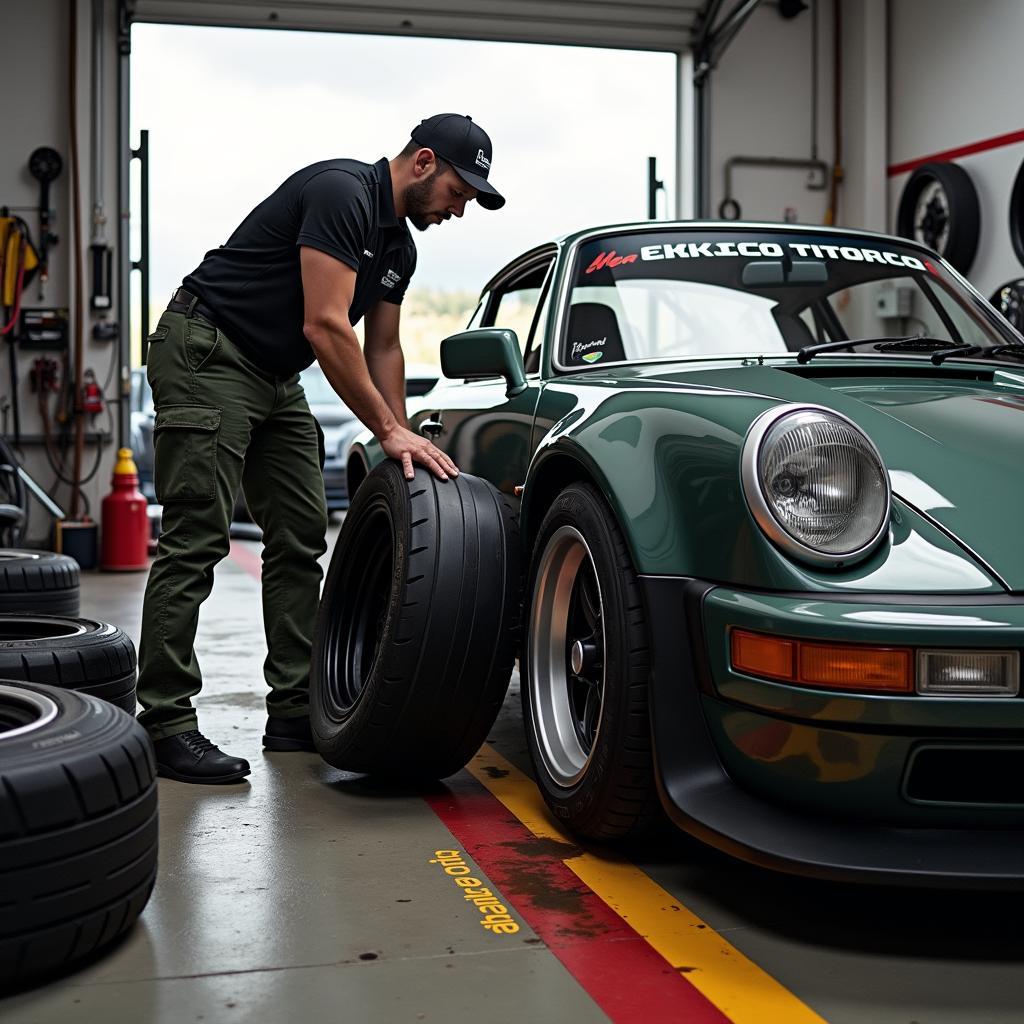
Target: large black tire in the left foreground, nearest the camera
78,829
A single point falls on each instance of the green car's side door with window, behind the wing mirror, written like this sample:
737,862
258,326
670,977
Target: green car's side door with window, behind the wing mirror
486,433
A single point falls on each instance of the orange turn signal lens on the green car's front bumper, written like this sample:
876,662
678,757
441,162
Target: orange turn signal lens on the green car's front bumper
843,667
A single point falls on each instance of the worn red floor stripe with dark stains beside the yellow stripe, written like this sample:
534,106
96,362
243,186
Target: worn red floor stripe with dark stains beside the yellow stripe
627,978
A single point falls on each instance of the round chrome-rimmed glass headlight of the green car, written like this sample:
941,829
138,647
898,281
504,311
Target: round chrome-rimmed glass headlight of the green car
817,485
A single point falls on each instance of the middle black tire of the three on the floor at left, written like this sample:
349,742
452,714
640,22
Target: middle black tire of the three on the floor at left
96,659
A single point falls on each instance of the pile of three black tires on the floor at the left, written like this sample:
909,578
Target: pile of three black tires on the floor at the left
78,784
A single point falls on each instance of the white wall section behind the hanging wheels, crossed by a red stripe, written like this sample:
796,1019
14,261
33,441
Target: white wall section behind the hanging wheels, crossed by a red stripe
957,79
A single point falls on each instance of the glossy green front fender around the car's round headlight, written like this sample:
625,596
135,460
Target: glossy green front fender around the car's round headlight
669,465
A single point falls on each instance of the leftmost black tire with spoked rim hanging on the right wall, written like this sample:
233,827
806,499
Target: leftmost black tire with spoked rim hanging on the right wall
960,212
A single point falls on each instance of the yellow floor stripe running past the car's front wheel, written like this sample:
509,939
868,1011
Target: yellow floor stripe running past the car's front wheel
745,993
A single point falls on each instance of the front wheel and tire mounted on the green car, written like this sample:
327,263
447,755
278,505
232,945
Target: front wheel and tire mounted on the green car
588,724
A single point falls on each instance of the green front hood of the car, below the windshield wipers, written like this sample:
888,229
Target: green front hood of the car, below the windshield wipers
952,439
